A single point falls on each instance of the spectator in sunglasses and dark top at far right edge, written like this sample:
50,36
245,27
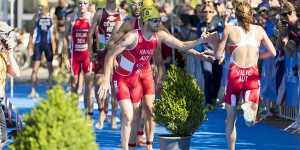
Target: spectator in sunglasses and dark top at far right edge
289,35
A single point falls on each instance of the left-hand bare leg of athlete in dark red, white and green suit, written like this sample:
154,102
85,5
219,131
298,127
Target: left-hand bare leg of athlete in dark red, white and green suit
99,78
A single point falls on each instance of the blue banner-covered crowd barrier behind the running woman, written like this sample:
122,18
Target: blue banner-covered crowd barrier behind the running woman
279,85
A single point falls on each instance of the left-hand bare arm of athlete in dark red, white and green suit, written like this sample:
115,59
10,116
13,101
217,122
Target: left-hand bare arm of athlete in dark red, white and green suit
96,19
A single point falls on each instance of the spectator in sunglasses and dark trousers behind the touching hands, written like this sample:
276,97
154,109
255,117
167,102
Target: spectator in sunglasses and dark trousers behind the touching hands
212,71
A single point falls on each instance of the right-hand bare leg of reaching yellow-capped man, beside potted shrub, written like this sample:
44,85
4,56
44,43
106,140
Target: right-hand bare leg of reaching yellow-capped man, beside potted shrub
149,123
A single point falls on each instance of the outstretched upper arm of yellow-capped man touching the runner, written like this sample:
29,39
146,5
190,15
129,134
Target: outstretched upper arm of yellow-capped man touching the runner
171,41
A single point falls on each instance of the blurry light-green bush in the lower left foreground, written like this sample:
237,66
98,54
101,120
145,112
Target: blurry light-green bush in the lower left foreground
56,123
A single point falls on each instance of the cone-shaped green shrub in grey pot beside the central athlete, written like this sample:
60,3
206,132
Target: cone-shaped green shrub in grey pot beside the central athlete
180,109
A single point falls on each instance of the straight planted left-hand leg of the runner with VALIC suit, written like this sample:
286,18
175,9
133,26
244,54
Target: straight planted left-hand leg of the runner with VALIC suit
230,126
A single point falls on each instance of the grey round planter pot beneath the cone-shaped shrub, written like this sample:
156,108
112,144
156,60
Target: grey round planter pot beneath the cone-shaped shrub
169,142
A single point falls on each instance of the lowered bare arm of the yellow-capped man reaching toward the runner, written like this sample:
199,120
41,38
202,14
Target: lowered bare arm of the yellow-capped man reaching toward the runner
124,43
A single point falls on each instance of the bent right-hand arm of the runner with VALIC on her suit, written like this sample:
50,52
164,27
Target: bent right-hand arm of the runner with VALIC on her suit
268,44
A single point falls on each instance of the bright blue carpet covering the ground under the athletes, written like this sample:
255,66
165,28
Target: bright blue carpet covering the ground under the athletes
210,135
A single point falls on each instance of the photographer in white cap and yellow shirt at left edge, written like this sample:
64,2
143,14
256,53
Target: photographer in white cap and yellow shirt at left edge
9,65
